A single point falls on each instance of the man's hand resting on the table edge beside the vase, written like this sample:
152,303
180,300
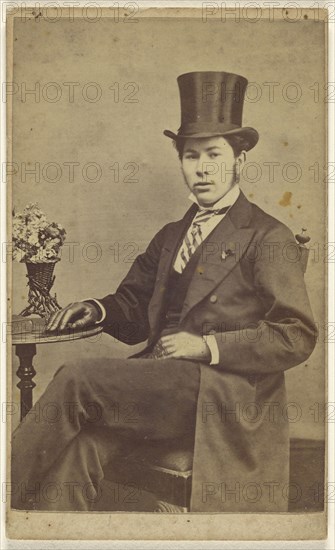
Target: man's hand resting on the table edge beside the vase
76,315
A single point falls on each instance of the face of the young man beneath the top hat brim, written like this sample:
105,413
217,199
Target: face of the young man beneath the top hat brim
208,166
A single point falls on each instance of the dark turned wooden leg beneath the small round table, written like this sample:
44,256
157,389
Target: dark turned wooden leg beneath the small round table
26,373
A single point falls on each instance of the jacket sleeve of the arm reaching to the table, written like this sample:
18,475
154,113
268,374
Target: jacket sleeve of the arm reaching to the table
127,310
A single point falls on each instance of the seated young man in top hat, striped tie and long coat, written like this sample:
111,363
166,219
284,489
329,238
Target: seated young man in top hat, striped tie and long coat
224,310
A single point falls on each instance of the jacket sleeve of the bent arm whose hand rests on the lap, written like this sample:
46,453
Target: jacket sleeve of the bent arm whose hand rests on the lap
286,335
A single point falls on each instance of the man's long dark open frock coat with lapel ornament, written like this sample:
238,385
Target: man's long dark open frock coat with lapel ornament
248,290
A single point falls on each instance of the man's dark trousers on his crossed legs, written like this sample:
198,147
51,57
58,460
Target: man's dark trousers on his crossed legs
91,412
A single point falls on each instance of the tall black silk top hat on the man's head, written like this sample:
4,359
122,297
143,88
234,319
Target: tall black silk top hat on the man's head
212,105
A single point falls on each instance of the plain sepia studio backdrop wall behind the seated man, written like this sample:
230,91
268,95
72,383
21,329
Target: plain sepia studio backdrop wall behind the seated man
133,68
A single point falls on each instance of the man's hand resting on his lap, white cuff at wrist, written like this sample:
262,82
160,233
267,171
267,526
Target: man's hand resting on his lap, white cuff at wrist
184,345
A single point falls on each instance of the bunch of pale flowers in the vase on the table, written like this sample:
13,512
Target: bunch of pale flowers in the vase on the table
35,240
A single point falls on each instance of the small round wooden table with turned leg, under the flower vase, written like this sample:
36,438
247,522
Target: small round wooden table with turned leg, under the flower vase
27,332
